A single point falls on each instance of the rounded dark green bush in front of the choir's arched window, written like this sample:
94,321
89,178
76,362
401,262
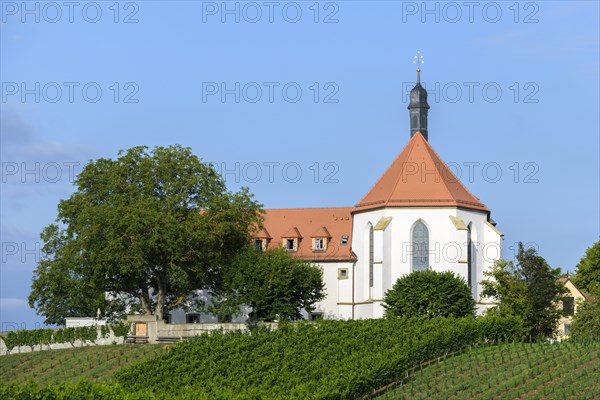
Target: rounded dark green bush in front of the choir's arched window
429,293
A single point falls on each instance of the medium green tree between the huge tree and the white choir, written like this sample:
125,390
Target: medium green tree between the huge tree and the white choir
274,284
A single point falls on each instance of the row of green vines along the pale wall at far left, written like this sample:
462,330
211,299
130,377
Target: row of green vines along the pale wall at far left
41,337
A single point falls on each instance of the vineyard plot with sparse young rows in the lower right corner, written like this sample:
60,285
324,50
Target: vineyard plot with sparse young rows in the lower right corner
528,371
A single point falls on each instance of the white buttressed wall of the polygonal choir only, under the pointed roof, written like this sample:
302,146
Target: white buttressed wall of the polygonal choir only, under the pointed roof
393,254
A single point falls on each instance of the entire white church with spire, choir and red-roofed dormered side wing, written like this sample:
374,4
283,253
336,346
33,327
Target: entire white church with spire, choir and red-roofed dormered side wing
417,216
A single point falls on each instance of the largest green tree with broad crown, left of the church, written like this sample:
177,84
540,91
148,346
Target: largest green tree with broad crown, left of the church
150,227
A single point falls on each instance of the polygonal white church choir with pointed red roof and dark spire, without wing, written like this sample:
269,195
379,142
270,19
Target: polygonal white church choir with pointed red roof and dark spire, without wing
419,216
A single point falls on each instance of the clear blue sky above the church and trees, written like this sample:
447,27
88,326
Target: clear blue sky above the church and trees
305,103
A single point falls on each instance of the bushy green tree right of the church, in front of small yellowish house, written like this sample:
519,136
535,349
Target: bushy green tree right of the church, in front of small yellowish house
528,289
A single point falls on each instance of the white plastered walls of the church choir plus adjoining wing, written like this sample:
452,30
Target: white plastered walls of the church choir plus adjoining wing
351,295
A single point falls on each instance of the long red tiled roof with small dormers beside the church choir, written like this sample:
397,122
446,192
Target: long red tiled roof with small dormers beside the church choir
305,224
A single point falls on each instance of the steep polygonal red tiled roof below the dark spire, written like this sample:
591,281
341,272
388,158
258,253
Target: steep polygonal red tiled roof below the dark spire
418,178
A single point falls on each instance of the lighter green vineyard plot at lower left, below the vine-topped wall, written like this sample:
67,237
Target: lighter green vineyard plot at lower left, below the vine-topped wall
94,363
